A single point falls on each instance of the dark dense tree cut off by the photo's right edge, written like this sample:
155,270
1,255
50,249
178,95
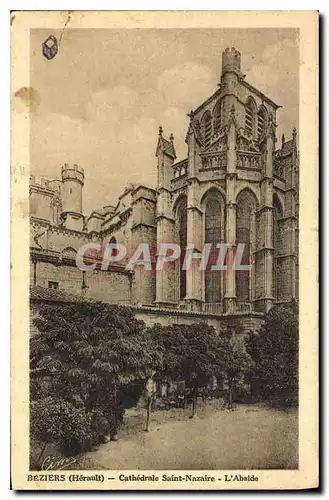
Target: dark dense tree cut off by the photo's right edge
274,351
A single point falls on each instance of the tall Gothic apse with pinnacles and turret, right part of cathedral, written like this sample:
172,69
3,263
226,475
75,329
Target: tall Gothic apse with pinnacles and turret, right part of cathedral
234,187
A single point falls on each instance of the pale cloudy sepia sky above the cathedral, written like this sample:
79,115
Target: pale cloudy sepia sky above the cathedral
100,101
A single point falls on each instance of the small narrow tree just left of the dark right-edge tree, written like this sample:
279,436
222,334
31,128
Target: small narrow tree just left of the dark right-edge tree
235,362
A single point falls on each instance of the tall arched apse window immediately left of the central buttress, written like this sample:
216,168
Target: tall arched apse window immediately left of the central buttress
213,214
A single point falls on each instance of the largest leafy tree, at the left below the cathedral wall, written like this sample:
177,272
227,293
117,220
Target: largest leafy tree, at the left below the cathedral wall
86,352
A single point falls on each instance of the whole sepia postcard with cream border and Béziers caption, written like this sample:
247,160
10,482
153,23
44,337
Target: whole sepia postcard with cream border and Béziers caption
164,250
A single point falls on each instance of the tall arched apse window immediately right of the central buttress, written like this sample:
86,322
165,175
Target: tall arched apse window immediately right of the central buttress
245,210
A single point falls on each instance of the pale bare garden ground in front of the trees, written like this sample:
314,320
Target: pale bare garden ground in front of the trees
248,438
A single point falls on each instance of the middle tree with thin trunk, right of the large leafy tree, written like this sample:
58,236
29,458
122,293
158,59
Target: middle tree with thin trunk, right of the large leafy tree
190,354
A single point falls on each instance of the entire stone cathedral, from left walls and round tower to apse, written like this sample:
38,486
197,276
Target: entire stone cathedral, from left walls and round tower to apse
237,185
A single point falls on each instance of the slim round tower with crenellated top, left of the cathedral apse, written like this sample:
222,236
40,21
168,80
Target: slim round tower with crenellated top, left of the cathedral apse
72,184
